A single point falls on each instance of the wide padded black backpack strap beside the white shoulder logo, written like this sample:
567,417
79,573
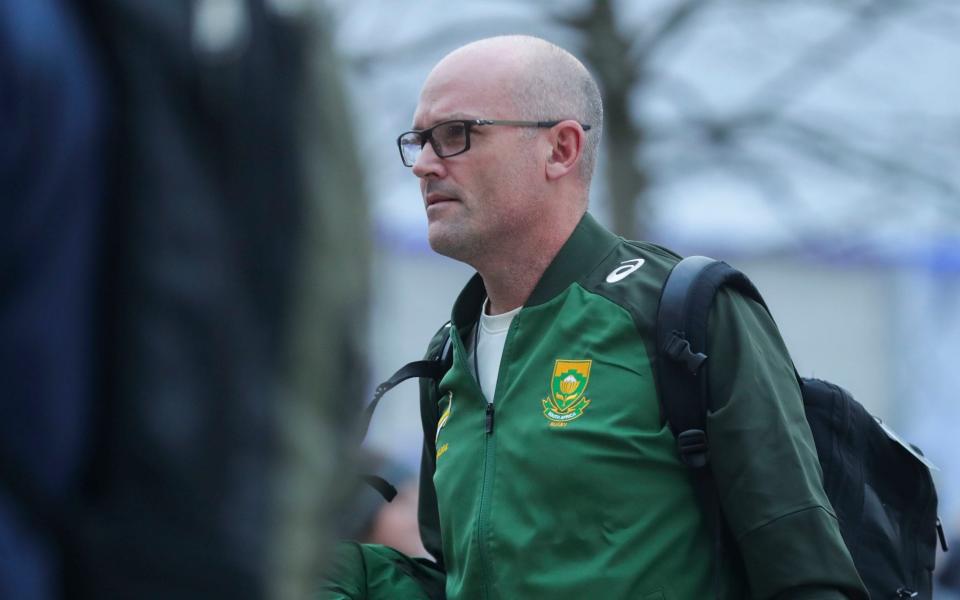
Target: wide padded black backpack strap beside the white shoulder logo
682,317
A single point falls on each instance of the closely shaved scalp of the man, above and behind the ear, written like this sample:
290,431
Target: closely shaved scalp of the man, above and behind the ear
543,82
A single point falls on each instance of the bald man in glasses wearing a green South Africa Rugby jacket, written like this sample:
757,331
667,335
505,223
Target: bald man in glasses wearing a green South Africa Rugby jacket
553,473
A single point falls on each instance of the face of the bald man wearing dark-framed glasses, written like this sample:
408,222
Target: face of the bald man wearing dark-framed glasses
476,201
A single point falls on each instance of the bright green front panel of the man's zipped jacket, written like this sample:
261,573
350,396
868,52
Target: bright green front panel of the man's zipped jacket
543,509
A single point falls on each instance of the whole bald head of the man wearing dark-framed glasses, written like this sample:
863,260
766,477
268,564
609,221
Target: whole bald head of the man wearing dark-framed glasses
515,184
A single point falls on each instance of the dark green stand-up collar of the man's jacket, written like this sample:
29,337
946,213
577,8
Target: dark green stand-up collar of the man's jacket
586,247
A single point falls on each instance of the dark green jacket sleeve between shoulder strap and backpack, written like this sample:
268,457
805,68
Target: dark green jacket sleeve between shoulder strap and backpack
765,463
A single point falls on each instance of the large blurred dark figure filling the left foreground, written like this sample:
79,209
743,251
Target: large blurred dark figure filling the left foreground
179,366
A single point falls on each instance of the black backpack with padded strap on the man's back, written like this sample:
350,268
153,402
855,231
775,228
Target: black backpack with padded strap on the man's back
880,487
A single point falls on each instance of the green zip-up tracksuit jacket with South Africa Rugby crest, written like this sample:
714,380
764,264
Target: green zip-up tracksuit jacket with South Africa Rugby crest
568,484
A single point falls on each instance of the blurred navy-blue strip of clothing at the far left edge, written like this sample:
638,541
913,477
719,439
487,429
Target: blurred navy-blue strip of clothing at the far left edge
52,137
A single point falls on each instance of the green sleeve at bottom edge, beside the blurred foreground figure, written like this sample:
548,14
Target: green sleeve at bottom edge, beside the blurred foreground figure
376,572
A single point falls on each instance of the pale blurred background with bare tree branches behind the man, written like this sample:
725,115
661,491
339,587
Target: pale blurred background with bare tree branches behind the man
813,144
